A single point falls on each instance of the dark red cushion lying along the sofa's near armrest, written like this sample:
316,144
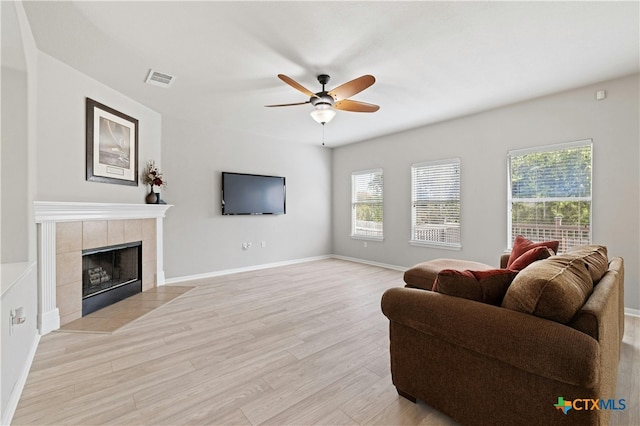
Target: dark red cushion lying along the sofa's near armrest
488,286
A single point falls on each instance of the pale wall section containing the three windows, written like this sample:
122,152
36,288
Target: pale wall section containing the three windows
481,142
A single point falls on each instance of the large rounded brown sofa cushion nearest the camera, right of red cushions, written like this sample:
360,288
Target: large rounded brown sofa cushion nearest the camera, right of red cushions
554,288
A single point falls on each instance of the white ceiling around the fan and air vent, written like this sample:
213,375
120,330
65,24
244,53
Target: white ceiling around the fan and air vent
432,60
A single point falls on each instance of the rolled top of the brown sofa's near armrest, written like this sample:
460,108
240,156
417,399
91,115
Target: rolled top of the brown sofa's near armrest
529,343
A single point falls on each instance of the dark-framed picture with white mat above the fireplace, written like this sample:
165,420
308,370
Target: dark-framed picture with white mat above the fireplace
112,145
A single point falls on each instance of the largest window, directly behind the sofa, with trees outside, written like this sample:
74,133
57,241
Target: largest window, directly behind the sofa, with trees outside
550,194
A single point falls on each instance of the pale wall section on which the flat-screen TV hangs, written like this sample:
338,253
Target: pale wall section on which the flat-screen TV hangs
199,240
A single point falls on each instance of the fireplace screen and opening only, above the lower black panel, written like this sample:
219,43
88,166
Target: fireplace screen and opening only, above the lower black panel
107,268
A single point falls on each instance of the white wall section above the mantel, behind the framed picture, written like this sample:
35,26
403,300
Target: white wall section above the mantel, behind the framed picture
61,174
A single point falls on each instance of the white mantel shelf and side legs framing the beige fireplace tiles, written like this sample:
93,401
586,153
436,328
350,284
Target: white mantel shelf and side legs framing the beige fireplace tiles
48,213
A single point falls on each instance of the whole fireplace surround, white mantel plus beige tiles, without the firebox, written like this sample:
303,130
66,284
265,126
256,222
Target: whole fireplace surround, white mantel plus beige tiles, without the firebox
67,228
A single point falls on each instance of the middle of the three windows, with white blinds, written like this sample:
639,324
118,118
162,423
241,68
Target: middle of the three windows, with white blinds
435,197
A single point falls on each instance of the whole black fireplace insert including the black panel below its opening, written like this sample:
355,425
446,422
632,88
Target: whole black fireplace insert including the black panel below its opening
110,274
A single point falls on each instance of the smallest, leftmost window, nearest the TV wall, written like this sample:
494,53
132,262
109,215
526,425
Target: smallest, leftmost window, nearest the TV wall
366,204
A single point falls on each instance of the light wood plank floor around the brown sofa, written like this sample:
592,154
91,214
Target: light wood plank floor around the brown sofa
301,344
